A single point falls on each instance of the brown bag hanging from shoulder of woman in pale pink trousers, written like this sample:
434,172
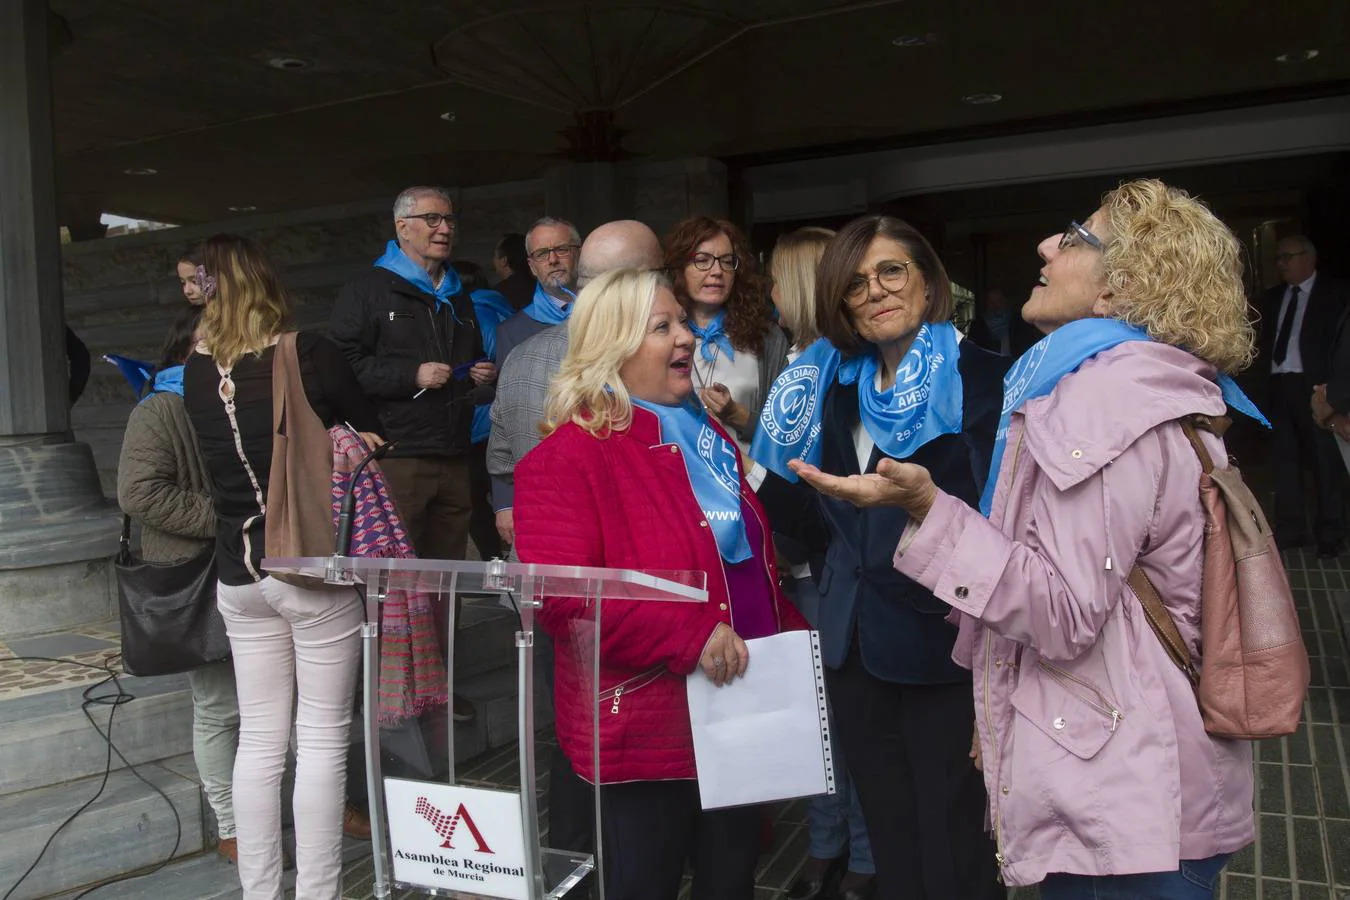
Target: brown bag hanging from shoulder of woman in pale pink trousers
300,519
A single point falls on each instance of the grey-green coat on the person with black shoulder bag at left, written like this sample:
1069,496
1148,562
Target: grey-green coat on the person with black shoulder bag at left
163,481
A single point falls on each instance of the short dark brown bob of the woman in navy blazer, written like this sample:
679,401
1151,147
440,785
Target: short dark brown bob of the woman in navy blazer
842,260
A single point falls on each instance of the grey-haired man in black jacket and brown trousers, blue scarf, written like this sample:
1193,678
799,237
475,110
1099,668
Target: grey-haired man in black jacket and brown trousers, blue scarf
410,333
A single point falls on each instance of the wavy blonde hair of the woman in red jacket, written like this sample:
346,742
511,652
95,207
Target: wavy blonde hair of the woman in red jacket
607,327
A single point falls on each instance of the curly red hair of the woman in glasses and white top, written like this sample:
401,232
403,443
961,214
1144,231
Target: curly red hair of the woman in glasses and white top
749,308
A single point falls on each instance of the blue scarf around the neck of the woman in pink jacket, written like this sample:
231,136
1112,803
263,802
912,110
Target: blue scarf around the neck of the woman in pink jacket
1060,354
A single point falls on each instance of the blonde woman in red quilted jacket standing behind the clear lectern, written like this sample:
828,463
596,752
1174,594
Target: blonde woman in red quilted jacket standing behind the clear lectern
638,476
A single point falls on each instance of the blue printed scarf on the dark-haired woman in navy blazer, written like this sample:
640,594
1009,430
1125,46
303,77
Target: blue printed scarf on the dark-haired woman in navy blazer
925,403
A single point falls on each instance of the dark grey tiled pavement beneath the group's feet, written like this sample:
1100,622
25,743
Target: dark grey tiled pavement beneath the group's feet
1303,786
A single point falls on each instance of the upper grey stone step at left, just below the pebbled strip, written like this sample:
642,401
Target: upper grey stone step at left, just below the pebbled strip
45,739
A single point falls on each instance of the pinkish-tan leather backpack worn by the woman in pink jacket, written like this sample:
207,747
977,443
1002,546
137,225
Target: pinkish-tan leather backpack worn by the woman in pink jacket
1255,670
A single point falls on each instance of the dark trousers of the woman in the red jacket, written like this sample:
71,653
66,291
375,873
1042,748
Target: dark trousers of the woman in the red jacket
653,828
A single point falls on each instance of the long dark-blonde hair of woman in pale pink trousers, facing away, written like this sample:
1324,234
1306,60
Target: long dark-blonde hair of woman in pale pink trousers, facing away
249,307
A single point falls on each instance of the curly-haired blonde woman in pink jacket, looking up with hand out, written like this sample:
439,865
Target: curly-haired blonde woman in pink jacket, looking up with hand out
1102,781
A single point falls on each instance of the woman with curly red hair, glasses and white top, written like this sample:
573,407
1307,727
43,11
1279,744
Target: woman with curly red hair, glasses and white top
739,351
